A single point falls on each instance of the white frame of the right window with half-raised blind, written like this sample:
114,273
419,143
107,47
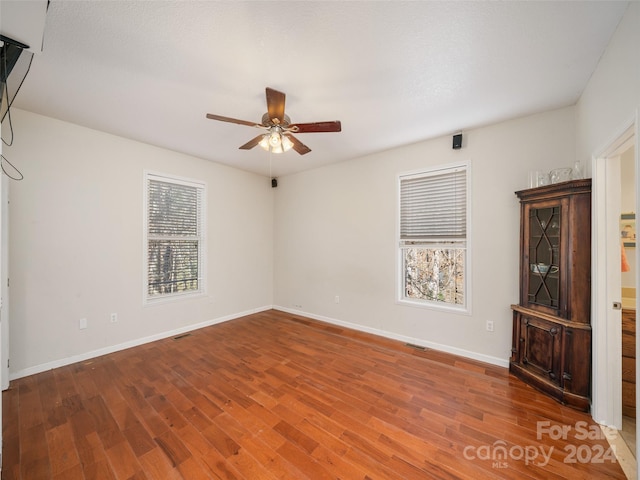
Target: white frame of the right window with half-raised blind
401,298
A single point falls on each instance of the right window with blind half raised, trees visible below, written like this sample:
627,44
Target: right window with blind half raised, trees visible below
433,237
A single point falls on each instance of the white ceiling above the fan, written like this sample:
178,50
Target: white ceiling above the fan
393,72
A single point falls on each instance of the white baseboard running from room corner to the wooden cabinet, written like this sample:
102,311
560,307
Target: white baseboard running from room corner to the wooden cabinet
501,362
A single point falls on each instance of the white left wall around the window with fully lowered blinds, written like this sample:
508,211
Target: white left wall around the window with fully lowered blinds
76,243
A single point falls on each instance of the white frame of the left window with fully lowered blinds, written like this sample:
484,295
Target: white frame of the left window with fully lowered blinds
202,276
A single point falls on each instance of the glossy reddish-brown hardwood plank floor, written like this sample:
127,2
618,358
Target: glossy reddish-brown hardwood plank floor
273,395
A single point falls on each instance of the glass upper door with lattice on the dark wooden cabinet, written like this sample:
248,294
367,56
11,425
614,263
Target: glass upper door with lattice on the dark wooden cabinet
544,256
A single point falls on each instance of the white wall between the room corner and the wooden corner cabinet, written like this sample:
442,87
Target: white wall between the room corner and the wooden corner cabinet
335,234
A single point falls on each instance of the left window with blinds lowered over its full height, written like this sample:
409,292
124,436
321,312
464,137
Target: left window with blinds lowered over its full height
174,236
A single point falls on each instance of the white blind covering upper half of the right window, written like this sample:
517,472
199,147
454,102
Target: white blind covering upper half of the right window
433,207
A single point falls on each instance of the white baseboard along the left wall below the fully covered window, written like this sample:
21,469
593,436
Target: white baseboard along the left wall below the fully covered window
132,343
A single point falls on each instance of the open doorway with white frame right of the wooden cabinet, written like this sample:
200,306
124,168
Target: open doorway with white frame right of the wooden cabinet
607,282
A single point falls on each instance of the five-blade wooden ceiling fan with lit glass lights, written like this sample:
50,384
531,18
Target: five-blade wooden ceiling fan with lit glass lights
278,137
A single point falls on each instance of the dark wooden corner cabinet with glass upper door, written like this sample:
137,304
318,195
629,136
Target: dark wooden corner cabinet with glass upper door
551,324
